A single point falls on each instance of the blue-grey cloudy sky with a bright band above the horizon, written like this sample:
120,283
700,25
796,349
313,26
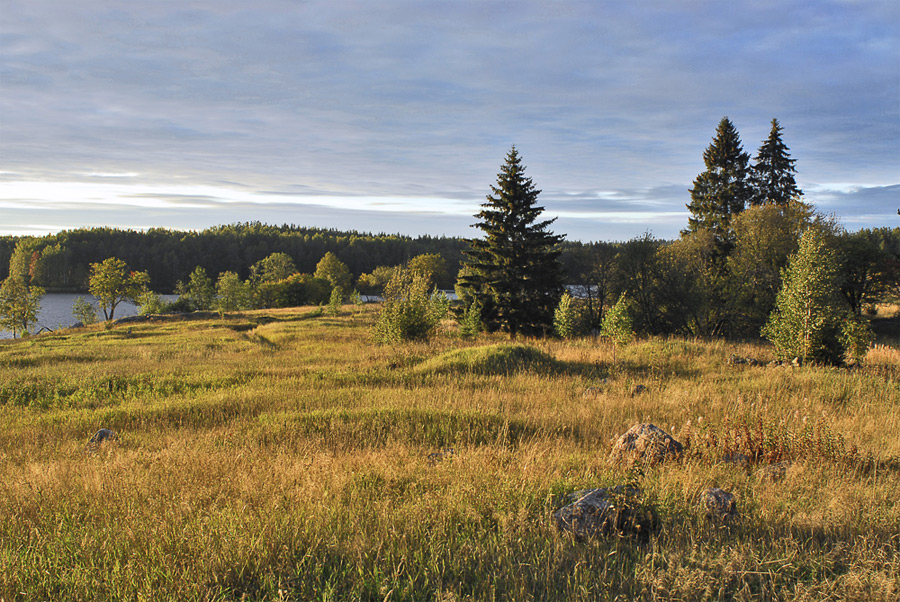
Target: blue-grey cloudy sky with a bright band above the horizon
395,116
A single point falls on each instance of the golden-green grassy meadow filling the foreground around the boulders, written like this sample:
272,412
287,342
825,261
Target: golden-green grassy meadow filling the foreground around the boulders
281,455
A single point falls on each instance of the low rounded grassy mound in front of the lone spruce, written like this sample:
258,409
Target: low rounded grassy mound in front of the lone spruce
504,358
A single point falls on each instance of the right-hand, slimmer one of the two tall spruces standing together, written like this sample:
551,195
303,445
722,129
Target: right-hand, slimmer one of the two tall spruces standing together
772,174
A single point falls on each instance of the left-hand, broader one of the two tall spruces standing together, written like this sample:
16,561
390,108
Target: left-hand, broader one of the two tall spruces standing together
723,190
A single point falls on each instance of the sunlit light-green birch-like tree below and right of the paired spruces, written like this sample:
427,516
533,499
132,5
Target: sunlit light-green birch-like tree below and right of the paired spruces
807,320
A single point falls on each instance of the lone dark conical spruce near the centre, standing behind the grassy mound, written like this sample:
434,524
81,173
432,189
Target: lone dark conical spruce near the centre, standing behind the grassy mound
514,271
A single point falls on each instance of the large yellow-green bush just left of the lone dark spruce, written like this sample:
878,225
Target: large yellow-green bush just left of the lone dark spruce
409,312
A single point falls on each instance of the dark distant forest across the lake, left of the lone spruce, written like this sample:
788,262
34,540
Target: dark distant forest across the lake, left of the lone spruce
62,261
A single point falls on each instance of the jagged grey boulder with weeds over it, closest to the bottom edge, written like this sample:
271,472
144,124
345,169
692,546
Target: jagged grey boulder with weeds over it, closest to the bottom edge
607,511
